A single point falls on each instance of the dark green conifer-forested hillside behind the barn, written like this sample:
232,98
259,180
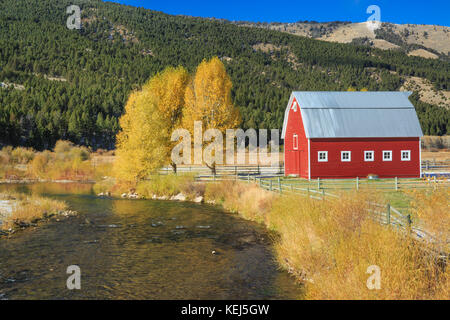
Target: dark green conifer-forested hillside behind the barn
58,83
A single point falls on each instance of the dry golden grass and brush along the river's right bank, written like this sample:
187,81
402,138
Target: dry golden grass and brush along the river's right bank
330,244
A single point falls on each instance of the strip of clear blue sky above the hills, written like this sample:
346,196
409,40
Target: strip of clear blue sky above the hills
397,11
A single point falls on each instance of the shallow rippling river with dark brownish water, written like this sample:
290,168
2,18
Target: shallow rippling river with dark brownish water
140,249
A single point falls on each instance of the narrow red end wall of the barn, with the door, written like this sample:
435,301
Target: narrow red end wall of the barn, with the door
295,161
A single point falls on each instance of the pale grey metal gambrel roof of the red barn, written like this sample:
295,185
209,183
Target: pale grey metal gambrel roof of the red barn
356,114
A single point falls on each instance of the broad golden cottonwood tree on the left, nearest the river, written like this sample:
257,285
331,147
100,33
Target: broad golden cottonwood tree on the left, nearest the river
151,114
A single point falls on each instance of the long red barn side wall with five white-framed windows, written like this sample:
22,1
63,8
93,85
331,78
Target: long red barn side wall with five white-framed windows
357,167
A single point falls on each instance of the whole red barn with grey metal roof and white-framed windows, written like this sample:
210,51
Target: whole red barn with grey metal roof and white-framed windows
351,134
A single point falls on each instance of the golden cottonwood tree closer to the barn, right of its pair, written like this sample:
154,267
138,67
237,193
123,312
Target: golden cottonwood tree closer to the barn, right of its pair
208,100
